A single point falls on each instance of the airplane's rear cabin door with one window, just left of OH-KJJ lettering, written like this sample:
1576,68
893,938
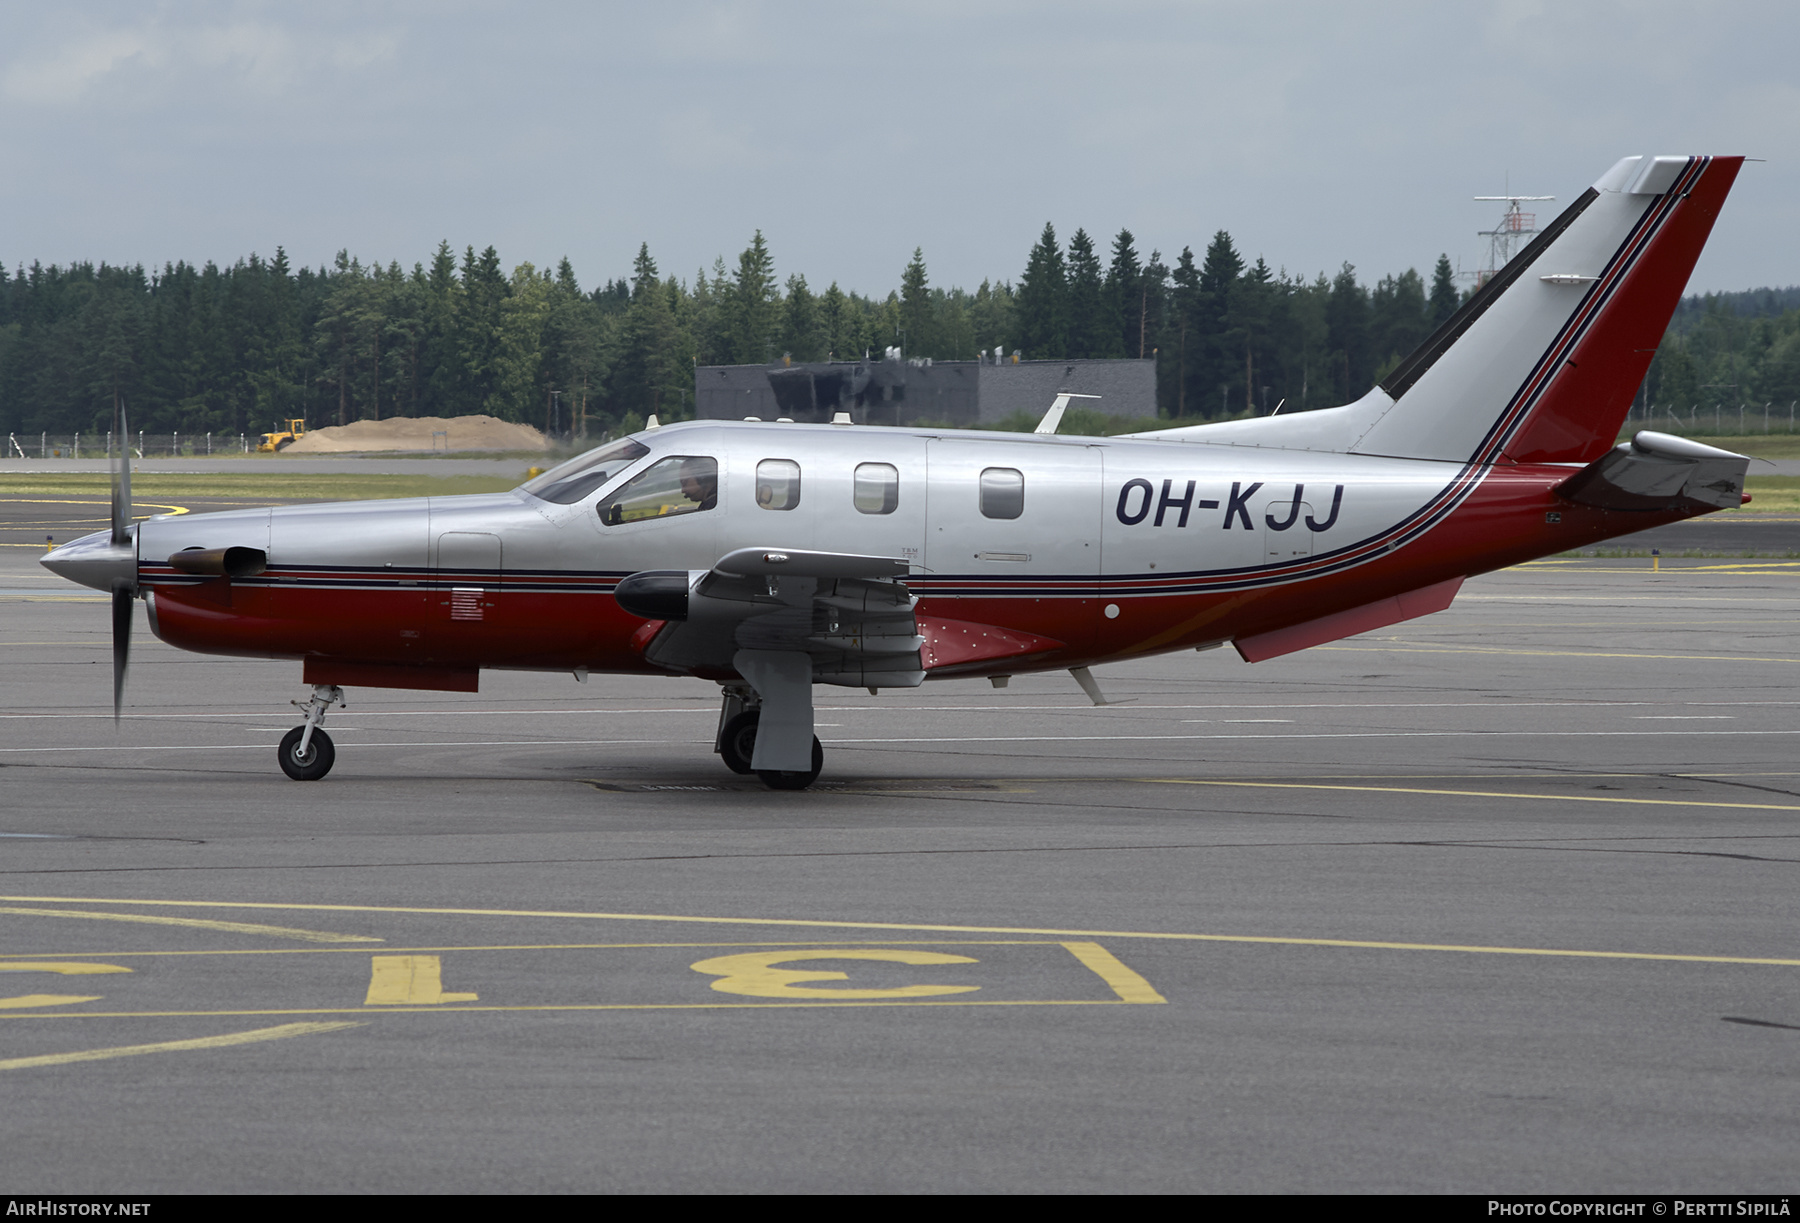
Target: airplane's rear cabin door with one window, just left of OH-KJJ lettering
1012,532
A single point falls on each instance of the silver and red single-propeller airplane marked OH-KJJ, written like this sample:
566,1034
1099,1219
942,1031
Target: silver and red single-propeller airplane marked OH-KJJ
771,557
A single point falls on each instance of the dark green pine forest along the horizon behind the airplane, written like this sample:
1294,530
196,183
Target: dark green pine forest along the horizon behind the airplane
233,350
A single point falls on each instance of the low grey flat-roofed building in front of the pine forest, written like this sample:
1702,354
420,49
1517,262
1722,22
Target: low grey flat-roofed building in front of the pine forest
919,392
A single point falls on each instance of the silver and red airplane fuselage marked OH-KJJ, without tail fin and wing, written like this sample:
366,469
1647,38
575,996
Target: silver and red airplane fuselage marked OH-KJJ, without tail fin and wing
1090,548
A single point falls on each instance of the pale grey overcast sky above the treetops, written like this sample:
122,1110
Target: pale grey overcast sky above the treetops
852,134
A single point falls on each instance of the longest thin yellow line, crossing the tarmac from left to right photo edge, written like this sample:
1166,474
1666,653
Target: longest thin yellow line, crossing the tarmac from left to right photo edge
1160,936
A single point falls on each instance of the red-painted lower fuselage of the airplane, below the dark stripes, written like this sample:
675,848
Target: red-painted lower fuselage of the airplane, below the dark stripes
1500,523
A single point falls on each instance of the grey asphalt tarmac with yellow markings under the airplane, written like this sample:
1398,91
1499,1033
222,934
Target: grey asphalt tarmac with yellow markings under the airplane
1495,901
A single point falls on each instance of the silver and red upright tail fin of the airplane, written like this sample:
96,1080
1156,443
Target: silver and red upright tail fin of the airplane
1543,361
